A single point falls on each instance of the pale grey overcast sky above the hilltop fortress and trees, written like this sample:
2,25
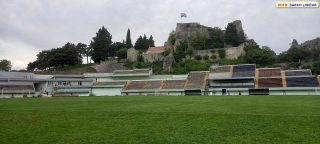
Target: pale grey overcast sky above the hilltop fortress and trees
29,26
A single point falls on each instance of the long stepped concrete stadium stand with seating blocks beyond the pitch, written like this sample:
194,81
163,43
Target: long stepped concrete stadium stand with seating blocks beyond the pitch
244,79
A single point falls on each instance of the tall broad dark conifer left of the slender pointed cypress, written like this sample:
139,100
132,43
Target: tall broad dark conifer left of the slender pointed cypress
101,45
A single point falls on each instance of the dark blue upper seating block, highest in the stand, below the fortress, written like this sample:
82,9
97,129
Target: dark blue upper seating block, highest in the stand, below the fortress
247,70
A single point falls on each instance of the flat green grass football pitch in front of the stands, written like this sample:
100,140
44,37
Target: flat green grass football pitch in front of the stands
229,119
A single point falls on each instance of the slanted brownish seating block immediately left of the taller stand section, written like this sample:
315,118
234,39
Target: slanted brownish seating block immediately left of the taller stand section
196,80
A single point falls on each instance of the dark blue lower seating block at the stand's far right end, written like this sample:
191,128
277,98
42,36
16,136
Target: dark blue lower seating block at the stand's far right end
303,81
